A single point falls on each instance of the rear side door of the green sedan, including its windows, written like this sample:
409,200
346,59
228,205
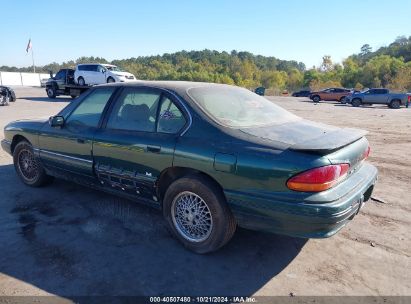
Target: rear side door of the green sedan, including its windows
138,140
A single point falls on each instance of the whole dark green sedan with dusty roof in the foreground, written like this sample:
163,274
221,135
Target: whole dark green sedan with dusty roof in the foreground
210,156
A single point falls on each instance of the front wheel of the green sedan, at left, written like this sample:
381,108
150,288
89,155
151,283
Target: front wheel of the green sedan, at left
28,167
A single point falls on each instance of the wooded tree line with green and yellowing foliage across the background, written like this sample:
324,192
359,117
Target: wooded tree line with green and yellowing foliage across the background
388,66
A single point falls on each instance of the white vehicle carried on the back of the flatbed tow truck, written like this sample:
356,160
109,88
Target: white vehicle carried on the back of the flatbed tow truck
94,73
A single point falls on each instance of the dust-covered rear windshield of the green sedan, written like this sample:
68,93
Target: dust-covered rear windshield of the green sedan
238,108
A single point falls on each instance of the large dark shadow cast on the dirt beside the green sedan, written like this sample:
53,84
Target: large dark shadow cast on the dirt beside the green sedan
69,240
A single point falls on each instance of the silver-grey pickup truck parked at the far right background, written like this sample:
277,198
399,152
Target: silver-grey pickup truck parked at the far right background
377,96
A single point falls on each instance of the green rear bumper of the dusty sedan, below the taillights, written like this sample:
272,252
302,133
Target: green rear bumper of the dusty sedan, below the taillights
318,215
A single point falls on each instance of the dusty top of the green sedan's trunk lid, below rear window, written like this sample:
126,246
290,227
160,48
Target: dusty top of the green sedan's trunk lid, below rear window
305,135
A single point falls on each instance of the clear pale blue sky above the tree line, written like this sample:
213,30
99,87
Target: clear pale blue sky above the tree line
119,29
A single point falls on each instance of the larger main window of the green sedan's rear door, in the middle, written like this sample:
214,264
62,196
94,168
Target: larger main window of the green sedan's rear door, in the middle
135,110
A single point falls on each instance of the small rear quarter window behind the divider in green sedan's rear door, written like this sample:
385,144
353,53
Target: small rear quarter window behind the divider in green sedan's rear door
170,119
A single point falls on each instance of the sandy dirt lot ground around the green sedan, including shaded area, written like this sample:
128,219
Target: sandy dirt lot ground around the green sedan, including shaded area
68,240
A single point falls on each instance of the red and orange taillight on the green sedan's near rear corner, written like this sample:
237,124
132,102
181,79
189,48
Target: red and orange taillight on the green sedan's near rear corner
318,179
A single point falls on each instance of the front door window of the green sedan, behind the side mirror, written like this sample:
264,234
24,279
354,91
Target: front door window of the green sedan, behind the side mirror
88,113
